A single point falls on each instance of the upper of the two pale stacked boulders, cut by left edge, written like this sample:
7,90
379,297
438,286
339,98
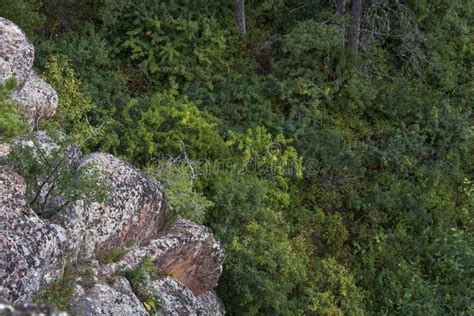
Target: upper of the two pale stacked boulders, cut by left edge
16,53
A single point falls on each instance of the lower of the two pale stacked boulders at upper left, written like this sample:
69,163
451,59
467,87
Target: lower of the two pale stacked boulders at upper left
38,98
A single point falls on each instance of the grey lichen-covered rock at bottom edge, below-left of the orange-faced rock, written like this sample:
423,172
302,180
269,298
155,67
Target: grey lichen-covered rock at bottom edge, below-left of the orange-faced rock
106,299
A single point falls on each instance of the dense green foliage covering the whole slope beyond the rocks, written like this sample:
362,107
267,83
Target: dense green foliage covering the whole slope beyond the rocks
339,183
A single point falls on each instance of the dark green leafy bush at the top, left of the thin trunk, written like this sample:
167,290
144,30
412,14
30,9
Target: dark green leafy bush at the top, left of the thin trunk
171,43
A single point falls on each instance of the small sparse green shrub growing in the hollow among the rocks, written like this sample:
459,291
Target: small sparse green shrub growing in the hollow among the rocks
53,181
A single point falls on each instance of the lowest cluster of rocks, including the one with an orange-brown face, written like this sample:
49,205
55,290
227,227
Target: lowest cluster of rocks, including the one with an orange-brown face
187,251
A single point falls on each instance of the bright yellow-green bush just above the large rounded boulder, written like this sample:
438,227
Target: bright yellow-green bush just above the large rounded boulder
162,126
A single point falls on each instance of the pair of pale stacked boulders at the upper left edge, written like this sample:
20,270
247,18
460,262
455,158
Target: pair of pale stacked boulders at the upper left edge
36,96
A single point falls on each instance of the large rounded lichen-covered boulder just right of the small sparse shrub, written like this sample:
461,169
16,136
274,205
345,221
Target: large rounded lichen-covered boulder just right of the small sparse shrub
133,212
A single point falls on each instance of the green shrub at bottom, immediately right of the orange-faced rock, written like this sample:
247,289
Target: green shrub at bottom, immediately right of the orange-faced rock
263,266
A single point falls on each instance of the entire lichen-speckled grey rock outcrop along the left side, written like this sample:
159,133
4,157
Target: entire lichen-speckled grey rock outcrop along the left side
34,250
